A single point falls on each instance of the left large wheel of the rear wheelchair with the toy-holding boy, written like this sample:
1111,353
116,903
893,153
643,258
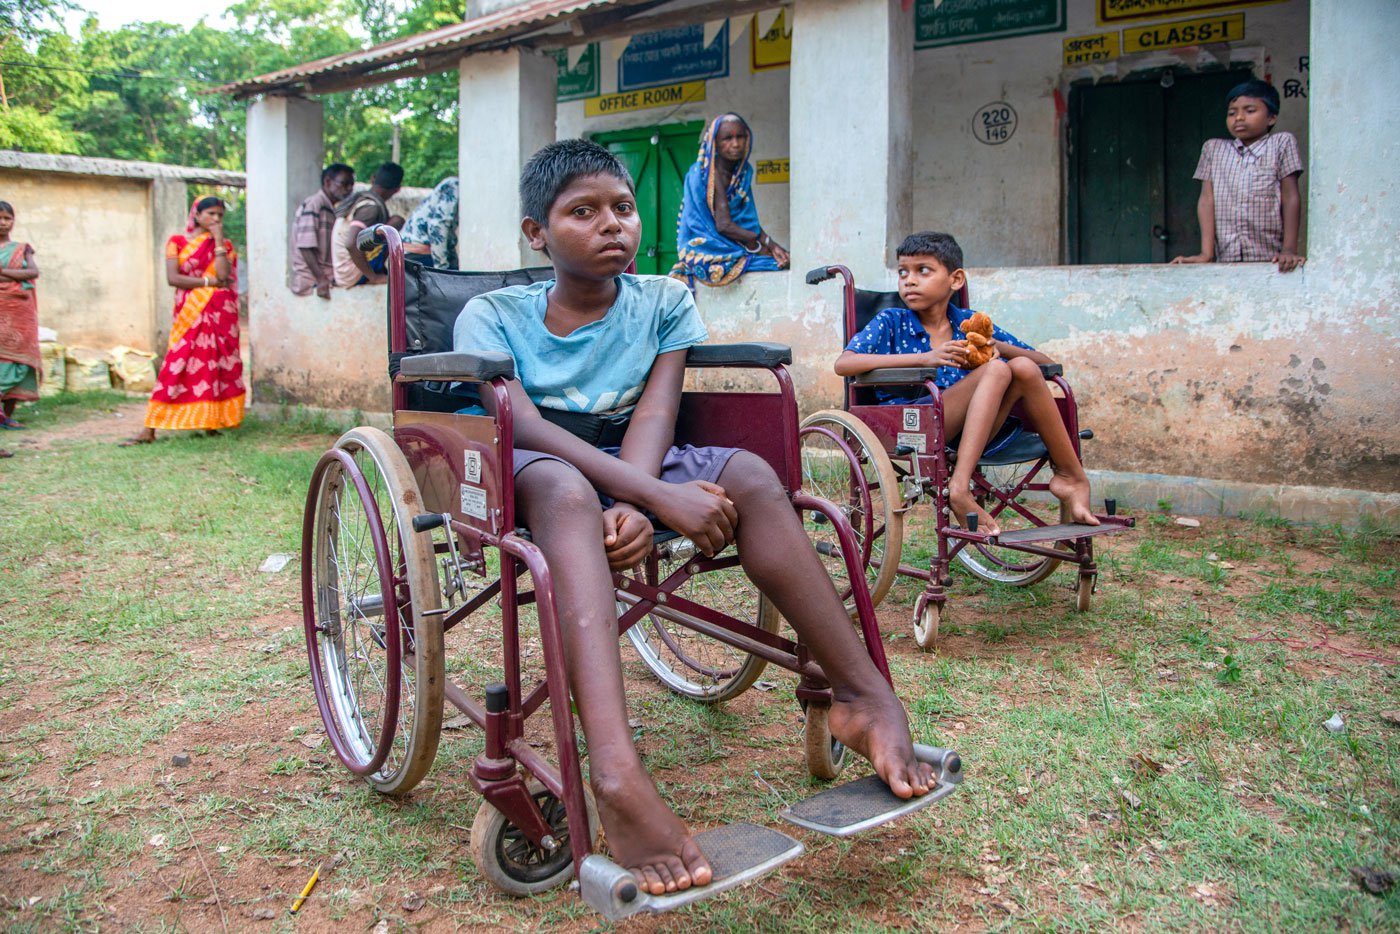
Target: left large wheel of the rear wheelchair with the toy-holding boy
845,463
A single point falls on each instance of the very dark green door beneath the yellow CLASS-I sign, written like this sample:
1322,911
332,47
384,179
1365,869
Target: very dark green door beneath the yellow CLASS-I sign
1133,152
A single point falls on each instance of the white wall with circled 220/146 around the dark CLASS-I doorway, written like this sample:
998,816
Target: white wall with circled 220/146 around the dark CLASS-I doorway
1004,202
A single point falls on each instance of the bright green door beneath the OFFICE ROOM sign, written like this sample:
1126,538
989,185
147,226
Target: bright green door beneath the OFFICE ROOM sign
659,159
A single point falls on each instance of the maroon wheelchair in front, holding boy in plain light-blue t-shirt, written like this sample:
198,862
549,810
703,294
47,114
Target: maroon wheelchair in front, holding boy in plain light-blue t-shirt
409,537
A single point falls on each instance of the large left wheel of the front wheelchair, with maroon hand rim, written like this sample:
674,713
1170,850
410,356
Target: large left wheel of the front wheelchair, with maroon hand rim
367,582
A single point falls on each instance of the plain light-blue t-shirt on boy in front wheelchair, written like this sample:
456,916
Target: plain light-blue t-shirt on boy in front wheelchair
601,368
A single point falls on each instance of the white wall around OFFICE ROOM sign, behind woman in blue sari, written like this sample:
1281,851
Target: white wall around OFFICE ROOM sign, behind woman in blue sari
761,97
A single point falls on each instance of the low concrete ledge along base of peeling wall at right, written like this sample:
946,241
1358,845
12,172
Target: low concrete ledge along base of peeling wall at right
1205,496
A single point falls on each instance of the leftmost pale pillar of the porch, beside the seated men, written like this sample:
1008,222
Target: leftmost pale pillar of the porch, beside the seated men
285,152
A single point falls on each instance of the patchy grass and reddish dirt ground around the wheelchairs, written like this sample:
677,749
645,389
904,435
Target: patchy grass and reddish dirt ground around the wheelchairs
1156,764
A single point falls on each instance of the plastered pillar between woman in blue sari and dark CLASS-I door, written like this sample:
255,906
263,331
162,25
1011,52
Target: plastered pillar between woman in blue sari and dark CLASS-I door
852,141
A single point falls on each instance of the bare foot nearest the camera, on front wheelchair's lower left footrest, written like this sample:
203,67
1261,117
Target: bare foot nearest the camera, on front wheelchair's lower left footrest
646,837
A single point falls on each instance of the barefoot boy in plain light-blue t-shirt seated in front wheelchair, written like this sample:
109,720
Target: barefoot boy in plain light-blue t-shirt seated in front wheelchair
597,342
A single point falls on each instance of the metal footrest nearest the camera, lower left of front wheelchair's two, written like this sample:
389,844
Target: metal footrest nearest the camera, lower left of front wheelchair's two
738,853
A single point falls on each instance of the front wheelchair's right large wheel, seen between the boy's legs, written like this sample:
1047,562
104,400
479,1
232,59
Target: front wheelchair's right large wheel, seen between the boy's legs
696,666
